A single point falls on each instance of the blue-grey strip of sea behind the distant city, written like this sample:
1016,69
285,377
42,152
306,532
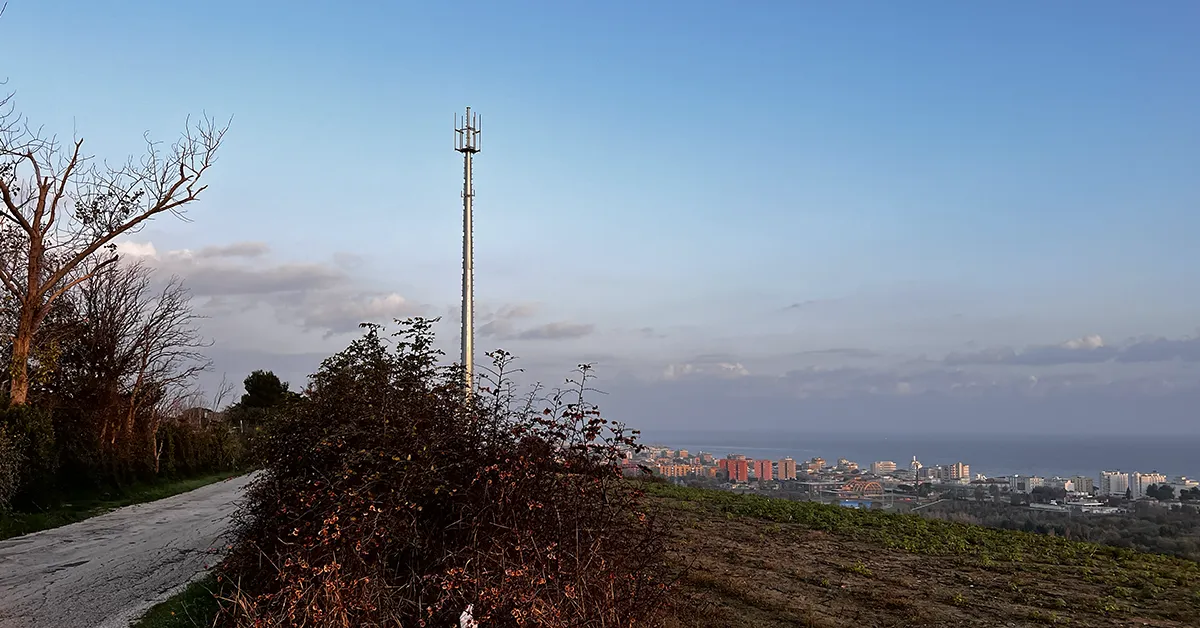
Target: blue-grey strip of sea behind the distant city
991,456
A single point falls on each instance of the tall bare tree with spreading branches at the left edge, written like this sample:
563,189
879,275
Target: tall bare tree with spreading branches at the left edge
62,212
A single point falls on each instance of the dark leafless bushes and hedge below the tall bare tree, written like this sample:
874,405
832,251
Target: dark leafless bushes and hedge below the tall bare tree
113,403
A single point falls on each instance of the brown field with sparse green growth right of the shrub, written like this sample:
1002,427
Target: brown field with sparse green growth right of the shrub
758,561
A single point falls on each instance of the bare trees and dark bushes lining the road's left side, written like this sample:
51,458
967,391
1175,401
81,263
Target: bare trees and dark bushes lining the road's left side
99,356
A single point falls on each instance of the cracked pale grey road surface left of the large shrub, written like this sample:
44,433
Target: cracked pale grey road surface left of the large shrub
107,571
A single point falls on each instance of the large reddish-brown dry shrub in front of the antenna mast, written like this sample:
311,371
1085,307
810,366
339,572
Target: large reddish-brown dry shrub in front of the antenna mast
391,500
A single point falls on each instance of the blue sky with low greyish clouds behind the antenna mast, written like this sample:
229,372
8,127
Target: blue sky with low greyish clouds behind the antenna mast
800,217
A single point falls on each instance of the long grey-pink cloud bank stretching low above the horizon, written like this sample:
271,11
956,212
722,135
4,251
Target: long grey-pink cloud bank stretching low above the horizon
287,316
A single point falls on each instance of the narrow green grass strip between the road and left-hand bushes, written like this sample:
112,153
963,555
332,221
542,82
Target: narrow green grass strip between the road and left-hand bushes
17,524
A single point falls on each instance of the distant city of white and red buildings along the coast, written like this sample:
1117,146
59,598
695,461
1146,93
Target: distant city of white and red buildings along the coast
884,483
